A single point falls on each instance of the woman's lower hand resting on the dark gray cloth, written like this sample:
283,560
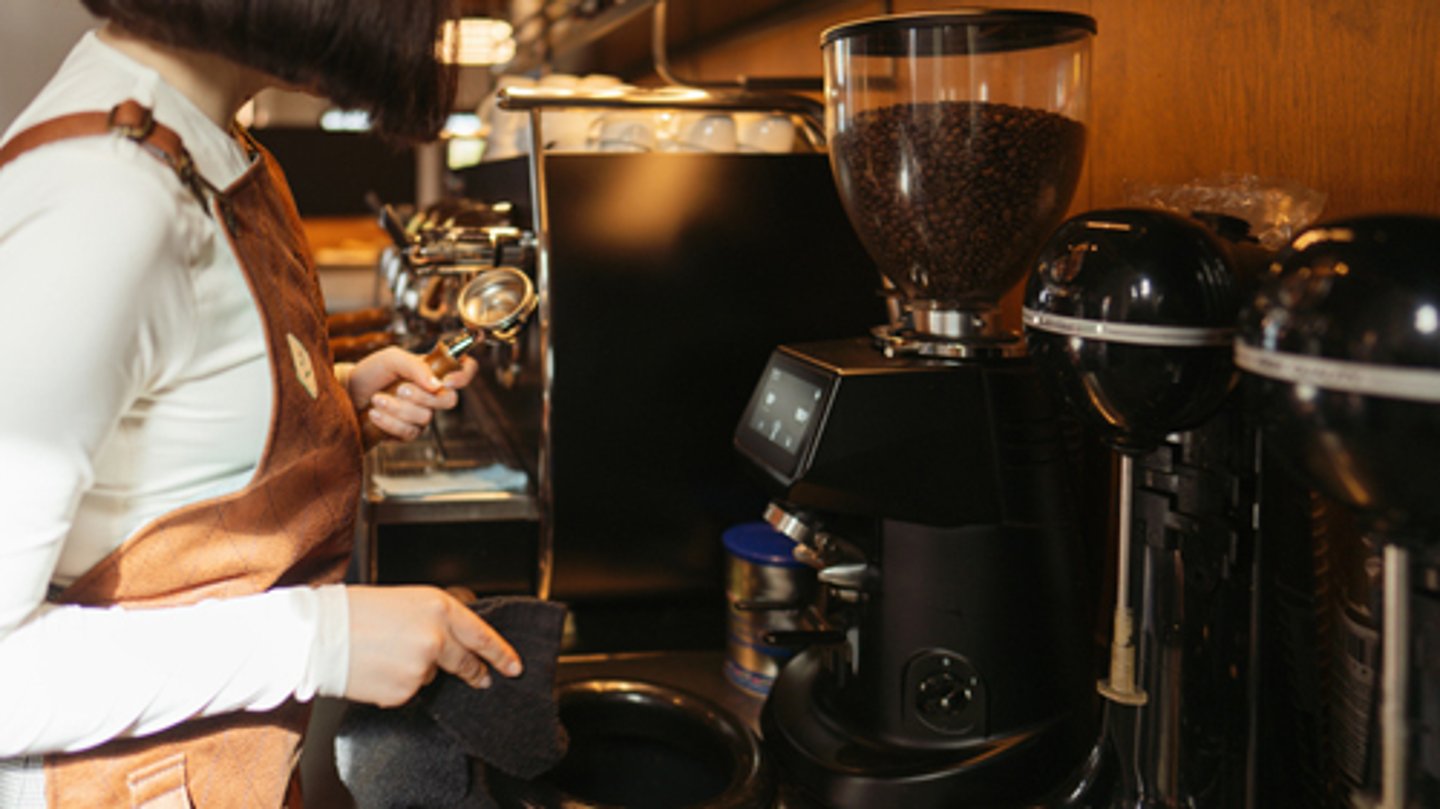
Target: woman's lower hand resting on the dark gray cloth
401,637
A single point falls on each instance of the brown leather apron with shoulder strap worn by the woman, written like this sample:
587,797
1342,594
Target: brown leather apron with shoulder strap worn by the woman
292,525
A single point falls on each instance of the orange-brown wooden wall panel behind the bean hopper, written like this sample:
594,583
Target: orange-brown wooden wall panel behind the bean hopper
1338,96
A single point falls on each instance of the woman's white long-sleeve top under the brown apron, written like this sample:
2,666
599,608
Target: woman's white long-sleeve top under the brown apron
139,384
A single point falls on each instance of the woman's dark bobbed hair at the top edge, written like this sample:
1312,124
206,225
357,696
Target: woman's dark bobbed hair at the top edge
375,55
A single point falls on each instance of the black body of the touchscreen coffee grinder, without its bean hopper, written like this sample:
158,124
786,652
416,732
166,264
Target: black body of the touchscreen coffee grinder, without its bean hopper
951,659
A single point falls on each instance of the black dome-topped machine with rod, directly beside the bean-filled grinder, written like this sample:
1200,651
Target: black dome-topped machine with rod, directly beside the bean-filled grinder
1133,313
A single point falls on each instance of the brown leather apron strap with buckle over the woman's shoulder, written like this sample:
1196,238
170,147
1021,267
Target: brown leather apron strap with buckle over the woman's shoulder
129,119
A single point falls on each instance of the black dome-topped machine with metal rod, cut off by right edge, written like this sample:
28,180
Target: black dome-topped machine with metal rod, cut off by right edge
1343,342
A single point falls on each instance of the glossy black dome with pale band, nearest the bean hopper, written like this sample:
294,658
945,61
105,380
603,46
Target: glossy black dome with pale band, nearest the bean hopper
1133,312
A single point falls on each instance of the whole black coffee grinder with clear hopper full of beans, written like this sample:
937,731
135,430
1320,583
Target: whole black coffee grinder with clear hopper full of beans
922,469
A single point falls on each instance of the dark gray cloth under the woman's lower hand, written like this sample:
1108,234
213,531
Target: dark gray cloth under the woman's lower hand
433,752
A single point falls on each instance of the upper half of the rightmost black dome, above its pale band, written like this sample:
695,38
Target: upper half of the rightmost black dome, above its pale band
1363,290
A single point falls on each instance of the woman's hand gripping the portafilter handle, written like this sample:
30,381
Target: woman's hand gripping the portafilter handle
405,414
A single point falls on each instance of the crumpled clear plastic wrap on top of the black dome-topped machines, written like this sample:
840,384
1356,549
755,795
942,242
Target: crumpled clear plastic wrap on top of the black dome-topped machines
1275,209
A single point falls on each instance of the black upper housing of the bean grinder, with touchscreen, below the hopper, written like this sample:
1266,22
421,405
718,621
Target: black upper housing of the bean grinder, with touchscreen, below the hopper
842,427
